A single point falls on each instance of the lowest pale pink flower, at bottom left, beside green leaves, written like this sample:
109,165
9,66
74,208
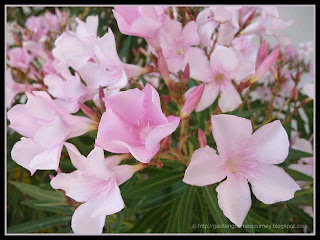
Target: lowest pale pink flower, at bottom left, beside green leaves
96,183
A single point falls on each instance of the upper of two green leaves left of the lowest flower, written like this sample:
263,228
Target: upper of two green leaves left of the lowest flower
38,193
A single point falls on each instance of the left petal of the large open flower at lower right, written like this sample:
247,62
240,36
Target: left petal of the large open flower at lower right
205,168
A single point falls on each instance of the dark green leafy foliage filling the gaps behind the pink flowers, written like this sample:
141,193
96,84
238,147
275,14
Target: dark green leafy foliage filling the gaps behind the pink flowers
156,199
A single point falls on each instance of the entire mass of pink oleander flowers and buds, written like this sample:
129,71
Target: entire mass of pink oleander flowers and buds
196,60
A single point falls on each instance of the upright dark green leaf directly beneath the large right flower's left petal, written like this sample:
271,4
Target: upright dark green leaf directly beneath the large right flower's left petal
185,210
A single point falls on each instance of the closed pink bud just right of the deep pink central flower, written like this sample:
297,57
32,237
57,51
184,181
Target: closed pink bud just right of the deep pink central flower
192,101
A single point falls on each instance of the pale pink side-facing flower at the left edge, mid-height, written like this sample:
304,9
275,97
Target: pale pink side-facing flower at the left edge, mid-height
46,127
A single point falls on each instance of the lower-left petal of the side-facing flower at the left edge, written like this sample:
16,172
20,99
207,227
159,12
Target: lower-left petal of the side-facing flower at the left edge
24,151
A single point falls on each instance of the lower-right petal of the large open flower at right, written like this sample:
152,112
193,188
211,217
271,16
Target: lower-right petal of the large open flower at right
273,185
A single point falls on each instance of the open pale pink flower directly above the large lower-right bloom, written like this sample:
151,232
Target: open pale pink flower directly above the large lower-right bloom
225,64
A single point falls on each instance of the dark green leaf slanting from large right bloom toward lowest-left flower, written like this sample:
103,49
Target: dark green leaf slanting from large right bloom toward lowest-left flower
153,184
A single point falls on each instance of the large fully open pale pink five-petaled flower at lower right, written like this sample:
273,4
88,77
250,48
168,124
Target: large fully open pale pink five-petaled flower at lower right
243,157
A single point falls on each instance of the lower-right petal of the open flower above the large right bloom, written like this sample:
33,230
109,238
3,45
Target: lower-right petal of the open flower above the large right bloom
230,98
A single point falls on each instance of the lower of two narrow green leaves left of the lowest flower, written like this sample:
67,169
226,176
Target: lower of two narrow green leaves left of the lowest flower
49,206
